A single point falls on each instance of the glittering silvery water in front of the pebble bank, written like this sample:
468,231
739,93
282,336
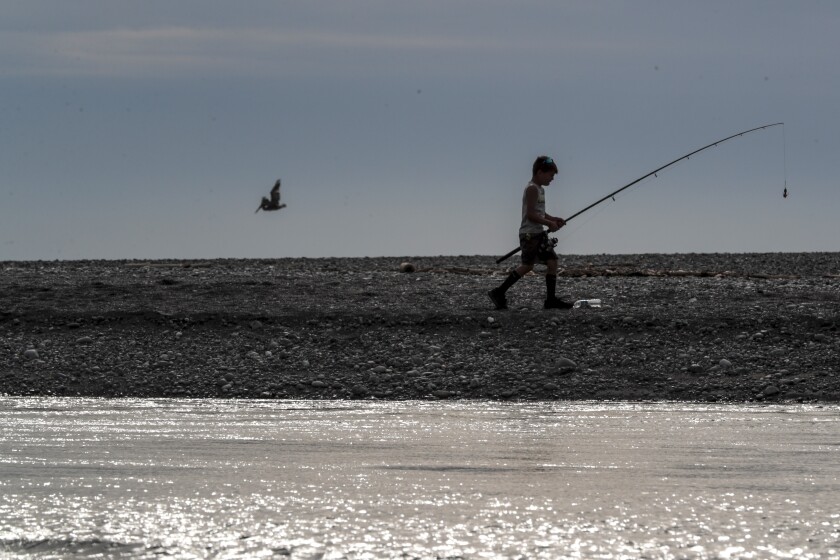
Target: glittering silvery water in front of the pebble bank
88,478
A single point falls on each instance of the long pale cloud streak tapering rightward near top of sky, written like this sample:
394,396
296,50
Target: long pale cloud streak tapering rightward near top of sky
172,50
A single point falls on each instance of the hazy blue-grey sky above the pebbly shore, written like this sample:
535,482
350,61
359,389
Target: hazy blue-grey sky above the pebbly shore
151,130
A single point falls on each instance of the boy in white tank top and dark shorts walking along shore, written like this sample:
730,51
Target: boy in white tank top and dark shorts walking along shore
533,239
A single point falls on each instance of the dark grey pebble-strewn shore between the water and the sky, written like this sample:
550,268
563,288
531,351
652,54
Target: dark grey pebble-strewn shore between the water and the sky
695,327
